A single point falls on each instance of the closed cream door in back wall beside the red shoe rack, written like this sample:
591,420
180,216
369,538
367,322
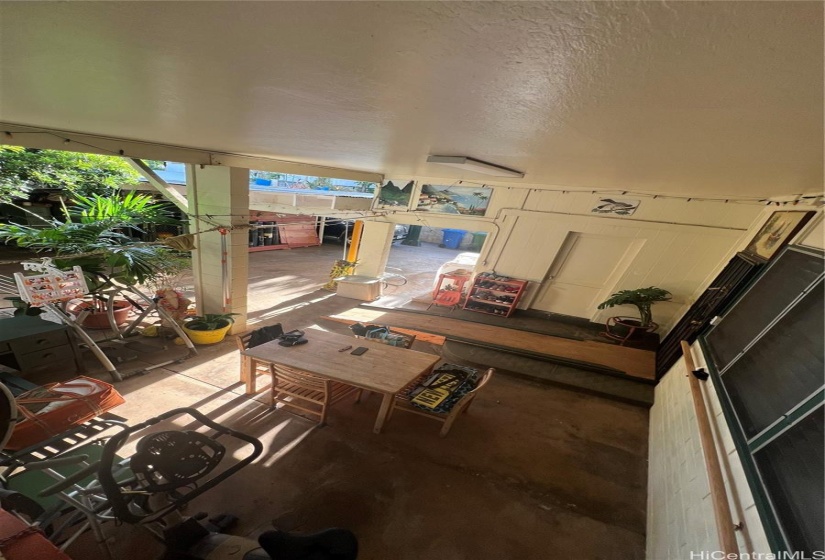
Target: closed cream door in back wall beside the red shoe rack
585,266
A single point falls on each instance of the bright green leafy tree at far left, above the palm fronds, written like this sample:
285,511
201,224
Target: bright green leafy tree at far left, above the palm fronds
24,169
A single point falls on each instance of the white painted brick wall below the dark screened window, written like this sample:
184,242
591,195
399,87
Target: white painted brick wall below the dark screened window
680,517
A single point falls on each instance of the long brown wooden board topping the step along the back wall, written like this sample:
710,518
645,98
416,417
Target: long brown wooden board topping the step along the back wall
631,361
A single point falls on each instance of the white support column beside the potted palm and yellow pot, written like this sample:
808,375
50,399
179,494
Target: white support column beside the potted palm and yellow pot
220,283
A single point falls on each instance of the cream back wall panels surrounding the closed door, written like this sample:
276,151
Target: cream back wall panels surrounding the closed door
681,243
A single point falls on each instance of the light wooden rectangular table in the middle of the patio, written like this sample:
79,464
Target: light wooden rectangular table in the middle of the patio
383,369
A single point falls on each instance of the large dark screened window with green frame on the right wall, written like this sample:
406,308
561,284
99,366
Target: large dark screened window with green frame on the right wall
766,356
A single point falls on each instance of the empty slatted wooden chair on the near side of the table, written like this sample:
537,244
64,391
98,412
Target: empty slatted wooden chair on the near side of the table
306,392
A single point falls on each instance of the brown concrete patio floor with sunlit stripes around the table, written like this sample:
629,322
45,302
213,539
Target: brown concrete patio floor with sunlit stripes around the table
531,472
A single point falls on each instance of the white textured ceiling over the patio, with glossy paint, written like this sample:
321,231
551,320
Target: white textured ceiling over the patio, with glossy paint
722,98
